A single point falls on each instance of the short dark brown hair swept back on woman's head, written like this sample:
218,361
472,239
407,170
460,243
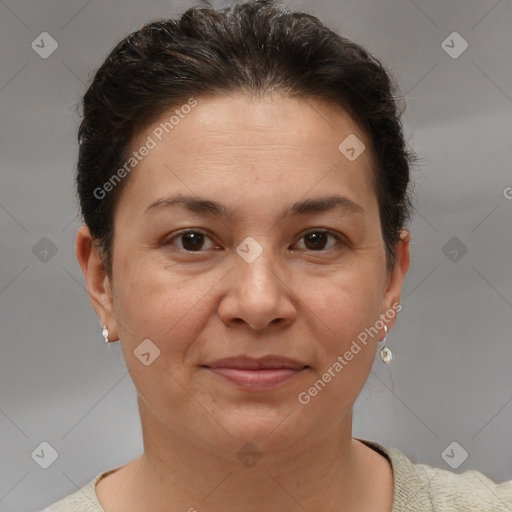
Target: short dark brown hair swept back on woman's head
256,47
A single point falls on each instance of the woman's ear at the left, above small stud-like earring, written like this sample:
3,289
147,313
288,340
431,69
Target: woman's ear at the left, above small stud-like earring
96,280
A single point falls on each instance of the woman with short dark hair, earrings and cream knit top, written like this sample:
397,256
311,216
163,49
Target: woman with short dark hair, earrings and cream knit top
243,179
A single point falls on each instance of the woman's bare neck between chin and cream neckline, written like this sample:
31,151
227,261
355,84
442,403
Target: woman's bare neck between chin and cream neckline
333,472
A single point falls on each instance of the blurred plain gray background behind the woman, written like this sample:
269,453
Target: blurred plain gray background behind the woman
451,374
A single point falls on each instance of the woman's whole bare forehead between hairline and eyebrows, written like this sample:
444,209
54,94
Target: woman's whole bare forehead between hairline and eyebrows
236,147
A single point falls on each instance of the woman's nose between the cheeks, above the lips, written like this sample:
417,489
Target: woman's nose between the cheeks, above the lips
258,294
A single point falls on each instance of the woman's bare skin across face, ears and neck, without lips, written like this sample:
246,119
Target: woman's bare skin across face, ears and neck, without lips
298,300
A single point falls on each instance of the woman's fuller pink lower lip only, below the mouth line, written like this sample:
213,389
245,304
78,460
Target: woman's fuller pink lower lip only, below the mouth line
257,379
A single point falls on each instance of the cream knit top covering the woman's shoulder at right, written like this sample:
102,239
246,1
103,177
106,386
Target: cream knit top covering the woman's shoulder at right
426,488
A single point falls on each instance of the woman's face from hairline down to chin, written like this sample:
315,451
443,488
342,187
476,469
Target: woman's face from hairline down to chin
254,277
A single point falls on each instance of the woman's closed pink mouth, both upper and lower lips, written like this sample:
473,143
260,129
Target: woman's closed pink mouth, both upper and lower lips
257,374
